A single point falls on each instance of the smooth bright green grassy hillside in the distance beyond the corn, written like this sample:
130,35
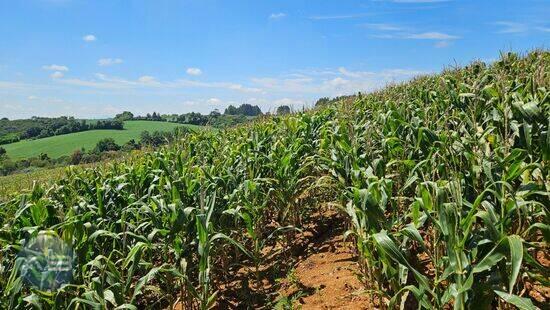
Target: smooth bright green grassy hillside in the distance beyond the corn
62,145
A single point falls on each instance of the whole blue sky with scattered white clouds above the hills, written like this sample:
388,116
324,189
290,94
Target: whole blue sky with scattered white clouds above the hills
97,58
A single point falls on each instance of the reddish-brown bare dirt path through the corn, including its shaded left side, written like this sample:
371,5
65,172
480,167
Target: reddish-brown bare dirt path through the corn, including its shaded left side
319,271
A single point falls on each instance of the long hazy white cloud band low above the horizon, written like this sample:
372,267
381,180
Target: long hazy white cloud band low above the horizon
296,88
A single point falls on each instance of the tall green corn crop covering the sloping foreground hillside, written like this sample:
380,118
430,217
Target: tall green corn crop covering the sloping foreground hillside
444,182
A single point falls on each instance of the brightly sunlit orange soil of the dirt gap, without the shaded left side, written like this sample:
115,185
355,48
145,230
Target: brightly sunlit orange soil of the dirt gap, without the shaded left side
327,277
